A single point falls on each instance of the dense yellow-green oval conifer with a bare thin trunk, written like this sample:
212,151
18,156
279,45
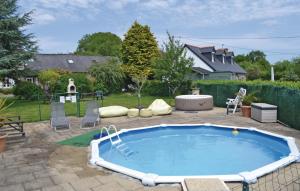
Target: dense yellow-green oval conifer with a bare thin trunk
139,49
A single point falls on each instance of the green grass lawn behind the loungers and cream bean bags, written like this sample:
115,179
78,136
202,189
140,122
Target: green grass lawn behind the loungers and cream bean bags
29,110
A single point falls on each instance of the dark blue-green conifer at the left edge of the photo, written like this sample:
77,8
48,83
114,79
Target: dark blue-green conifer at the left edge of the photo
16,46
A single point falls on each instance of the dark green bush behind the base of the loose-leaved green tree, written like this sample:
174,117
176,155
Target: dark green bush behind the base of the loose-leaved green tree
158,88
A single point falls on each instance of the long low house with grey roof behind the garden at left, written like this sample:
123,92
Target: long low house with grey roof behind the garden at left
66,62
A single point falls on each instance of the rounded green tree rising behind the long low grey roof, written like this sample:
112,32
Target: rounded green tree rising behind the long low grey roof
101,43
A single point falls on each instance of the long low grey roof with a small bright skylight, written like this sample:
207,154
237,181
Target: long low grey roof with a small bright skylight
69,62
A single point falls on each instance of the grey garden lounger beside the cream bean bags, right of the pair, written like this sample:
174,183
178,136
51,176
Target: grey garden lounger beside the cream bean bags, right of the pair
92,114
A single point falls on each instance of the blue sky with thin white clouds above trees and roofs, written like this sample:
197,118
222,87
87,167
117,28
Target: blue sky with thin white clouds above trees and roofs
272,26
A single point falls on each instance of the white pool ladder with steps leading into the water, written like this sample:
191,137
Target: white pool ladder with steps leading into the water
122,147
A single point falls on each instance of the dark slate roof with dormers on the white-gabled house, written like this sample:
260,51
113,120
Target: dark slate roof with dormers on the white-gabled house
217,66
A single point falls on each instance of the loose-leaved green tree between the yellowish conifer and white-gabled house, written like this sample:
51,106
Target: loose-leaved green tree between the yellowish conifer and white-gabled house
173,66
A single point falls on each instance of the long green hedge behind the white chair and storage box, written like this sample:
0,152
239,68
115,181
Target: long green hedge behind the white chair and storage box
286,95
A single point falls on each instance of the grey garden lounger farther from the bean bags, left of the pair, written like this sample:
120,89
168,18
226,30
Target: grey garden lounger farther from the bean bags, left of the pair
58,116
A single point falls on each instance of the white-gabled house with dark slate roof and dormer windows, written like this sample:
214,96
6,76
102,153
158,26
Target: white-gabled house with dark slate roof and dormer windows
211,63
